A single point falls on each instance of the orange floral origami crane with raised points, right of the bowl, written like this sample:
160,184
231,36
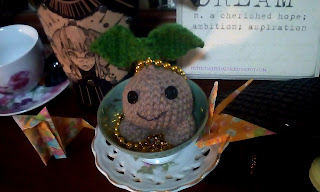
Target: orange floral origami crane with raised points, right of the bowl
224,128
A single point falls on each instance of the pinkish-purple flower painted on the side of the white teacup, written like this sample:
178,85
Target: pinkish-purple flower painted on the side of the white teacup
16,81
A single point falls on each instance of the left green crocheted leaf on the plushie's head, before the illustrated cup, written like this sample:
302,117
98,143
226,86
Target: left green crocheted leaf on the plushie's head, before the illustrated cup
118,46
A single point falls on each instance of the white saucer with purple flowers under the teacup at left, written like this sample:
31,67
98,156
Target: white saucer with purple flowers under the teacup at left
13,105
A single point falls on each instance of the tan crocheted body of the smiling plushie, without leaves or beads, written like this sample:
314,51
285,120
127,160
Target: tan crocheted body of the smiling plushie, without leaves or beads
153,112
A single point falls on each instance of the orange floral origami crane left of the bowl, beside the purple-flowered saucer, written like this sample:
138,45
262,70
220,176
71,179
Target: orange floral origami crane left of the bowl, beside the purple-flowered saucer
50,135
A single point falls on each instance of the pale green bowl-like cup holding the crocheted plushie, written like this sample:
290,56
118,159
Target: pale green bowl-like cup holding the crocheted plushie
112,105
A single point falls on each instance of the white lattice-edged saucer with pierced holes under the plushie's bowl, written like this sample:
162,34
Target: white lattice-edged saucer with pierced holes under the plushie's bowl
188,168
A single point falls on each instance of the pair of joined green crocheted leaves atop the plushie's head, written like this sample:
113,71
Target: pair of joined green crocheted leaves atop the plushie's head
120,47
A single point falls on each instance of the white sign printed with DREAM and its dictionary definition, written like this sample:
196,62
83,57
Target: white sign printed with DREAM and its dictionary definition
260,39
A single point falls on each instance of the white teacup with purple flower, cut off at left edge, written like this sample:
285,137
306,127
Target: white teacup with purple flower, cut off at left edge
21,59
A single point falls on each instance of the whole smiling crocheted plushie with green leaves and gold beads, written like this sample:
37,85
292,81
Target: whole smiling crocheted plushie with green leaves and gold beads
157,101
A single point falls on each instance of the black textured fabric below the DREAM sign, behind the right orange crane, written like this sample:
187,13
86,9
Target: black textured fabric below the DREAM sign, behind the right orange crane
288,107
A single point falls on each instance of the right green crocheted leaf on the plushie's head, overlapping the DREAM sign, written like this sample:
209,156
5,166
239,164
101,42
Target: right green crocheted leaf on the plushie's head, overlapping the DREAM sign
171,41
